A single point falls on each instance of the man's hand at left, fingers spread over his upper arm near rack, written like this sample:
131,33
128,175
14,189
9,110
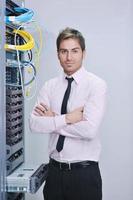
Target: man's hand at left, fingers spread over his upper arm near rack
43,110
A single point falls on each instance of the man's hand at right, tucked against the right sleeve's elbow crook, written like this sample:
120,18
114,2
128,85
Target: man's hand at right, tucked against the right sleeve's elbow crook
74,116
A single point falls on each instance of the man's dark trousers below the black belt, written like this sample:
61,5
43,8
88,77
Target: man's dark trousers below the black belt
76,184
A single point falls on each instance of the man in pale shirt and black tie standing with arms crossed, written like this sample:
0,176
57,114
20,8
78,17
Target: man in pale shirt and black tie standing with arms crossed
70,108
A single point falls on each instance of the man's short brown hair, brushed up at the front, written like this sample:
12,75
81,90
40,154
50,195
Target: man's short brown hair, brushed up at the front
70,33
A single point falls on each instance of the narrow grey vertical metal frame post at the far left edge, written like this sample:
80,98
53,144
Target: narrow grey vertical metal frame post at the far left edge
2,104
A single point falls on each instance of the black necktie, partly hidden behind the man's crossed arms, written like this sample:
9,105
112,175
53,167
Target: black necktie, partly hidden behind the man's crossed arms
61,138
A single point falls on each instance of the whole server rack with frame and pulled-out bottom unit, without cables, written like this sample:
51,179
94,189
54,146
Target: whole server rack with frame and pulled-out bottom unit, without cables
15,177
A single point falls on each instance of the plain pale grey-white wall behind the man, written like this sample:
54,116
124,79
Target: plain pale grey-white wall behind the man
107,28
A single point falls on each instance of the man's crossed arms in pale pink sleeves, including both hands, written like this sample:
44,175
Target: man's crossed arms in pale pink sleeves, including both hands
82,122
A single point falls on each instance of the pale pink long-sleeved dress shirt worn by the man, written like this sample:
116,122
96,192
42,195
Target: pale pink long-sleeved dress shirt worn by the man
82,140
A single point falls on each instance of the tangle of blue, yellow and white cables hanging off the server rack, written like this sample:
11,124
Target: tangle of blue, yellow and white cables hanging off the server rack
24,41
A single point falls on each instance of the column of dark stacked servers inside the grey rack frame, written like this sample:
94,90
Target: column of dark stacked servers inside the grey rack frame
14,103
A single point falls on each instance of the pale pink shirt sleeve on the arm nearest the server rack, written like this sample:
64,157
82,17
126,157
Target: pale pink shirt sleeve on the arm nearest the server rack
46,124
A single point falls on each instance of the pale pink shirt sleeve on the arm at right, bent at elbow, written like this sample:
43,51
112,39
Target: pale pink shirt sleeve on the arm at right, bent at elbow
93,114
